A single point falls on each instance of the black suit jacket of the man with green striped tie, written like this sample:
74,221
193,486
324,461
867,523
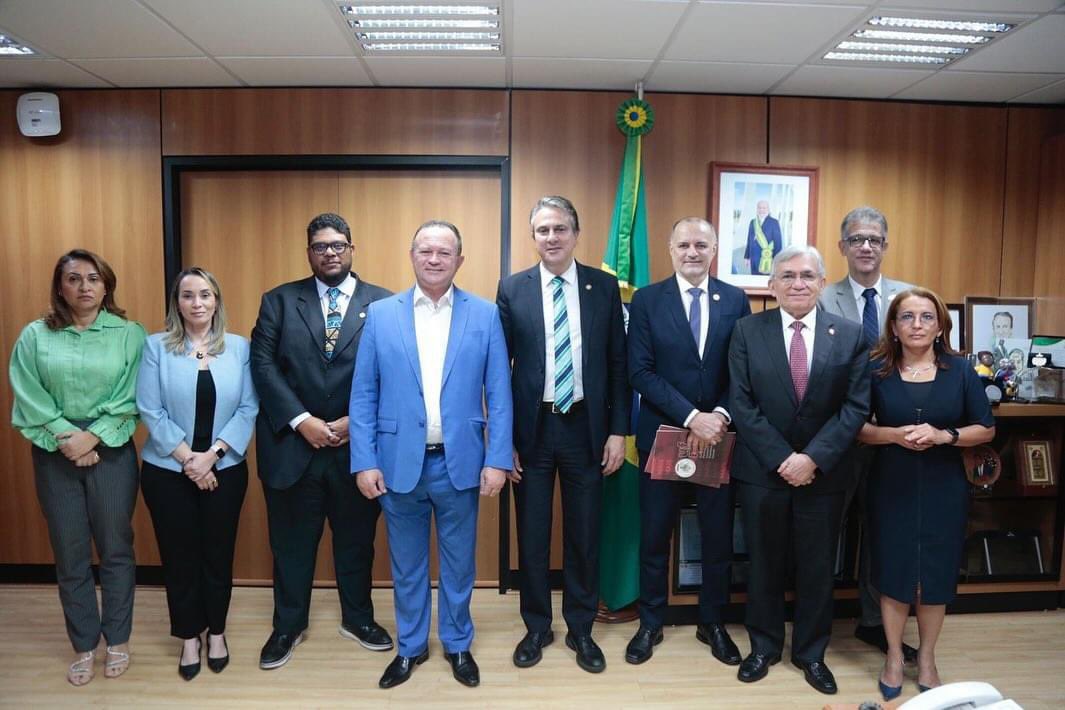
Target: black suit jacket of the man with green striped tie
608,398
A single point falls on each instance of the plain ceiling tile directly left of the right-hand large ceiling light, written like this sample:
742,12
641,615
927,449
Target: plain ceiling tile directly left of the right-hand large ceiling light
759,34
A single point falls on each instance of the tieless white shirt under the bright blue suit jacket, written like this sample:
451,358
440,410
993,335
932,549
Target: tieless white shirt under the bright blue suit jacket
433,324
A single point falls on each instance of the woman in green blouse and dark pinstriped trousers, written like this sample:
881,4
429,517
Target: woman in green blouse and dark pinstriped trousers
74,374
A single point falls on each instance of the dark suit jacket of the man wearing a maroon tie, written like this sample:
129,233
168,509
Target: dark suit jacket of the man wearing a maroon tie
769,421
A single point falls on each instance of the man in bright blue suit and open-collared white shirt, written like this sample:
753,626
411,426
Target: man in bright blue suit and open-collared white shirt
430,361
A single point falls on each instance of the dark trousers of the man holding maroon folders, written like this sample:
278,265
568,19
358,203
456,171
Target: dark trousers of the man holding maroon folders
660,506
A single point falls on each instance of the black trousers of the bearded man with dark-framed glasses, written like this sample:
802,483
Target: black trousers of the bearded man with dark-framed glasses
297,518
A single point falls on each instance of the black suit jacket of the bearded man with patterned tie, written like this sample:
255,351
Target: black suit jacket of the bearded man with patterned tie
292,375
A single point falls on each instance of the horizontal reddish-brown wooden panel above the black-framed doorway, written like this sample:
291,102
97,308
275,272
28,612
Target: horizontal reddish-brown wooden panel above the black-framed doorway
278,122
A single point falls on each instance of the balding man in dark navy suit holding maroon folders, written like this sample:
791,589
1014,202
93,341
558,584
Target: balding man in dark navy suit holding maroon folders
679,335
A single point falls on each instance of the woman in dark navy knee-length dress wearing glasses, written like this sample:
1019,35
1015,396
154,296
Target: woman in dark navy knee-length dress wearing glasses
928,404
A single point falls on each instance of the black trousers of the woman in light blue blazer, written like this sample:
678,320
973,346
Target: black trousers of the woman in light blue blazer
196,532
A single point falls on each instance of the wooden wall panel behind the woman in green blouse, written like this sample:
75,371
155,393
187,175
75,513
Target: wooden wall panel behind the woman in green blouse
96,186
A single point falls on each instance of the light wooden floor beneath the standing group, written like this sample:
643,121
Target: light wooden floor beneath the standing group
1021,654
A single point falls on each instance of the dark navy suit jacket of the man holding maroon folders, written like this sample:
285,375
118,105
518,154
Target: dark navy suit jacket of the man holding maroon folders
665,366
